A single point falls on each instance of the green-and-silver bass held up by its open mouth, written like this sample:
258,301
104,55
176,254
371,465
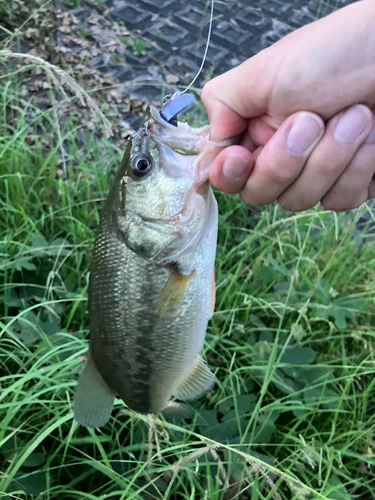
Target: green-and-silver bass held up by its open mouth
152,281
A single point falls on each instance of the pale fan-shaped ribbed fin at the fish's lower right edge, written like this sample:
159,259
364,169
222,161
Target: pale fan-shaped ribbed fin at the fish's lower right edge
200,381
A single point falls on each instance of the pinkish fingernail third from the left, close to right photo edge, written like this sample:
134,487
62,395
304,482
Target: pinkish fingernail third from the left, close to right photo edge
352,124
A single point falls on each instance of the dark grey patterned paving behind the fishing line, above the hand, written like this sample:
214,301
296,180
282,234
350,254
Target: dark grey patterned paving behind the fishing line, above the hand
175,32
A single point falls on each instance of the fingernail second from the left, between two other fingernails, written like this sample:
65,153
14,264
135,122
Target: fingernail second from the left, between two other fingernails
304,134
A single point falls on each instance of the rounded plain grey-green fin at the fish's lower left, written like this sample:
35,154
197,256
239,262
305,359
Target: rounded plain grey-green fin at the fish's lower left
94,400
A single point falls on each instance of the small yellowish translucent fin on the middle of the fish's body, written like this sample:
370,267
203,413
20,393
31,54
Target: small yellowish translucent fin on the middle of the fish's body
173,293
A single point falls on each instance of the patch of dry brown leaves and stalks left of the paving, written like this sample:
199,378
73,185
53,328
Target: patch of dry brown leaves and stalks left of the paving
49,56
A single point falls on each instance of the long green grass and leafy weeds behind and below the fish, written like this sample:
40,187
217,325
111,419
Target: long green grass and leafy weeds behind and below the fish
292,343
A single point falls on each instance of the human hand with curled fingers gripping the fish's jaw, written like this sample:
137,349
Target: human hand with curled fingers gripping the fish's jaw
305,137
